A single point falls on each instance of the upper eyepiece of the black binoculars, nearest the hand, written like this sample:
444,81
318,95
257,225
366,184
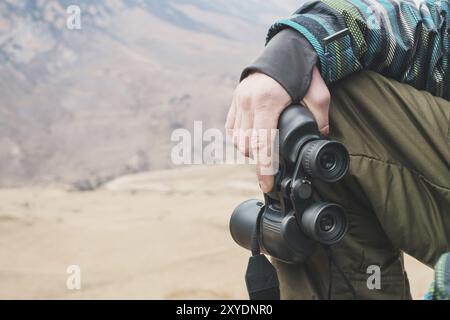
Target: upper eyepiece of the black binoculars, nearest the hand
325,160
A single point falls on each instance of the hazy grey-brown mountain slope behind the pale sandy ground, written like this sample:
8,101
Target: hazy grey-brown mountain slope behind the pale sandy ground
84,106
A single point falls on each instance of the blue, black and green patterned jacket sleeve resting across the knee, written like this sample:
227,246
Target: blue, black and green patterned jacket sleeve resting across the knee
397,38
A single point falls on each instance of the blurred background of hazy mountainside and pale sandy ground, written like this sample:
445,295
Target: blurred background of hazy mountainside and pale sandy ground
85,122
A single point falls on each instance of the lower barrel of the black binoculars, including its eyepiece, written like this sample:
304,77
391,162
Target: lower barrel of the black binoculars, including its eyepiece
283,237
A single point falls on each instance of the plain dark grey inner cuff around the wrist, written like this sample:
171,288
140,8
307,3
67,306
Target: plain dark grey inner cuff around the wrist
289,59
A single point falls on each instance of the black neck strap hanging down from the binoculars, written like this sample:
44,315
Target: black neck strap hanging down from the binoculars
261,276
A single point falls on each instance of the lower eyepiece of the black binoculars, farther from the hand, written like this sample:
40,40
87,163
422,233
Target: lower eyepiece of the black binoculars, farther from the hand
324,222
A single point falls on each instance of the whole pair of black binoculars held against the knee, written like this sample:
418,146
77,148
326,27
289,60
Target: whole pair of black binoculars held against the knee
293,220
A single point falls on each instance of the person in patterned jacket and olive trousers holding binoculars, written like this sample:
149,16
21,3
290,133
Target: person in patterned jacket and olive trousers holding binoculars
376,77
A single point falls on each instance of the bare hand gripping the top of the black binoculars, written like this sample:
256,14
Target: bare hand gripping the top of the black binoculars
257,104
